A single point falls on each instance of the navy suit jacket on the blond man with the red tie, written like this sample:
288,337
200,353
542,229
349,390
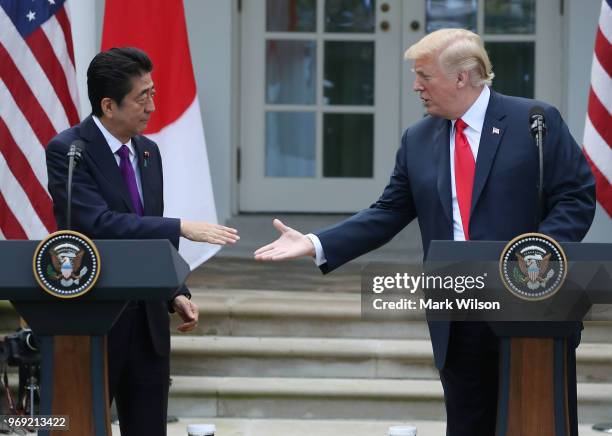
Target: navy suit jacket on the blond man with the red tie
504,199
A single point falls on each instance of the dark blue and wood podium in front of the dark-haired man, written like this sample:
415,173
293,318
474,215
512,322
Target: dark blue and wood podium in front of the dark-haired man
72,331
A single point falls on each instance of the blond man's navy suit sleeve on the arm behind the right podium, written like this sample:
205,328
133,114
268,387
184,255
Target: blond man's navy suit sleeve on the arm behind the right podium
569,185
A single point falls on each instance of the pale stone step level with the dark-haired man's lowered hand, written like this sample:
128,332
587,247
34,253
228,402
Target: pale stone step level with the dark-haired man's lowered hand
226,312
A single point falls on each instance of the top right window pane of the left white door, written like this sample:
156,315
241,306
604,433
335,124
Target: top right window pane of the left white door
350,16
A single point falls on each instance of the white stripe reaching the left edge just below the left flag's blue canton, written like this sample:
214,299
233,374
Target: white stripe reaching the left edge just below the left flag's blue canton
32,73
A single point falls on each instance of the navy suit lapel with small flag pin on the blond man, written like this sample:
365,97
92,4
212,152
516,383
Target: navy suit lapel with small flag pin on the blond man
493,130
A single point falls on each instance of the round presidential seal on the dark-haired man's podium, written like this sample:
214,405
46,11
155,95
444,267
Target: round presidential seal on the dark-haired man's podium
66,264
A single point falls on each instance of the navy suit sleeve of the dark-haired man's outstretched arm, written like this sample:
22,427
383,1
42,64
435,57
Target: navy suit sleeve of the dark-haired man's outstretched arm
90,212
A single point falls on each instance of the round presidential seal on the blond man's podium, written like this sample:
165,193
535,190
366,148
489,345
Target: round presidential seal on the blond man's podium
533,266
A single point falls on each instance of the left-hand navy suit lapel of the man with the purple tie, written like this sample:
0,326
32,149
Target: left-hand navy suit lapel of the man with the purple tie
100,153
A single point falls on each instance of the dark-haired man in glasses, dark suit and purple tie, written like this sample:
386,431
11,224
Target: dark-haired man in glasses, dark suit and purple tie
118,193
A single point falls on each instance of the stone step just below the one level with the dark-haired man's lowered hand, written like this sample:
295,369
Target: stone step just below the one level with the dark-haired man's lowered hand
335,358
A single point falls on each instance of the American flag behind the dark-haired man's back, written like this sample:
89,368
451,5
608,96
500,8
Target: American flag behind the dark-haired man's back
38,99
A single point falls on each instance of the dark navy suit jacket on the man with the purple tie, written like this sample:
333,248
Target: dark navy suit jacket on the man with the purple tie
101,204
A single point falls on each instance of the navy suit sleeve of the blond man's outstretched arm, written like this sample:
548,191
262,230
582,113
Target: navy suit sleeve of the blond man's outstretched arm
373,227
